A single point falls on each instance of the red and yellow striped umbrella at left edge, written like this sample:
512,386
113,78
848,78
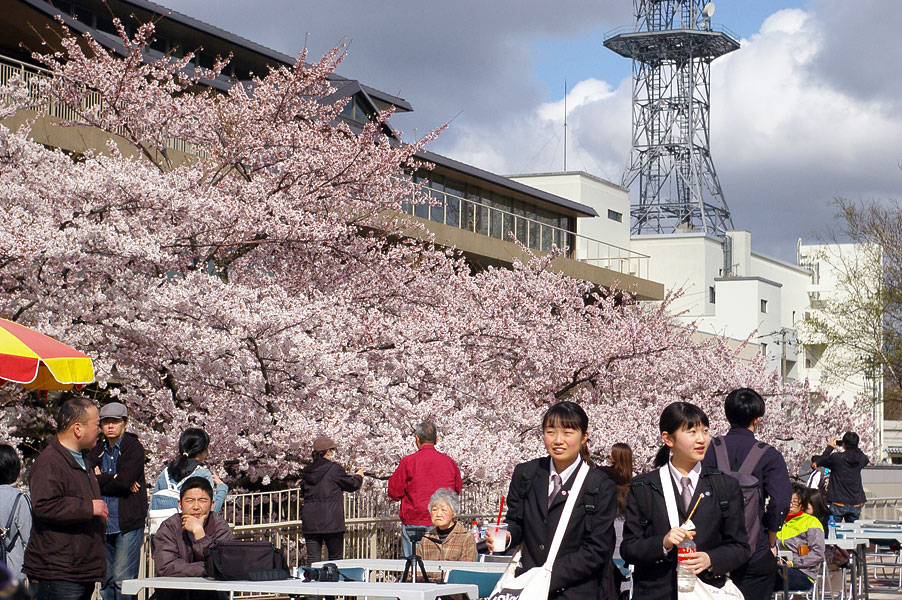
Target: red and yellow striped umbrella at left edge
39,362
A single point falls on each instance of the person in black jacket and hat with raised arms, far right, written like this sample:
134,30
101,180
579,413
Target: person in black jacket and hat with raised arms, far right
845,494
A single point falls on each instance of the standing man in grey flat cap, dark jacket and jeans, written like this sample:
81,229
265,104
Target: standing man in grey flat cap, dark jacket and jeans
118,463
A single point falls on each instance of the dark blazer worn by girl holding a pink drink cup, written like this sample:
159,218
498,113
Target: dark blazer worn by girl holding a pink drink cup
583,567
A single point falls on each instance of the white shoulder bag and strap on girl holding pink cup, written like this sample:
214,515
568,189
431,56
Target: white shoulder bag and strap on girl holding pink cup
535,583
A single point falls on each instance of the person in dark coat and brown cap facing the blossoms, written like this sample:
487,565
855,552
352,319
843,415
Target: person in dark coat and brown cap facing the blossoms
323,517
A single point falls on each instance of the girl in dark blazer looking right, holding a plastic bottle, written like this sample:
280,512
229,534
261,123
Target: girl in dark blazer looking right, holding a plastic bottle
650,540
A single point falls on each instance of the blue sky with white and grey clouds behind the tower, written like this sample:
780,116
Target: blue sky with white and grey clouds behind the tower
807,110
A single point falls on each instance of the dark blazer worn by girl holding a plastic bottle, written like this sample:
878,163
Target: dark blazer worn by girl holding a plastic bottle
646,524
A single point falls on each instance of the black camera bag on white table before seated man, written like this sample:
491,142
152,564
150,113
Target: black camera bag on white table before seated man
253,561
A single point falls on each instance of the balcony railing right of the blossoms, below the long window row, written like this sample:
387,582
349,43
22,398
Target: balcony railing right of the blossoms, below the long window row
474,216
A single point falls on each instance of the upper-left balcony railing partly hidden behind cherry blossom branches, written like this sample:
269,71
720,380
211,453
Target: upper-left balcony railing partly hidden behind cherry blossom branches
42,103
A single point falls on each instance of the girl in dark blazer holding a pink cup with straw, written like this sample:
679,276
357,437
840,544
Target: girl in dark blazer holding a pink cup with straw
583,567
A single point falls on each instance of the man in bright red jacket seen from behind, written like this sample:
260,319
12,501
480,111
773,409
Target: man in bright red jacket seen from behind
415,480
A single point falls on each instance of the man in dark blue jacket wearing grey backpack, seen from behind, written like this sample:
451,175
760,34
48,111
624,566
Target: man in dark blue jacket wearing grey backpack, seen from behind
744,408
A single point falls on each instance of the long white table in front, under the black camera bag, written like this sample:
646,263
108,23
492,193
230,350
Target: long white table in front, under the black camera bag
402,591
